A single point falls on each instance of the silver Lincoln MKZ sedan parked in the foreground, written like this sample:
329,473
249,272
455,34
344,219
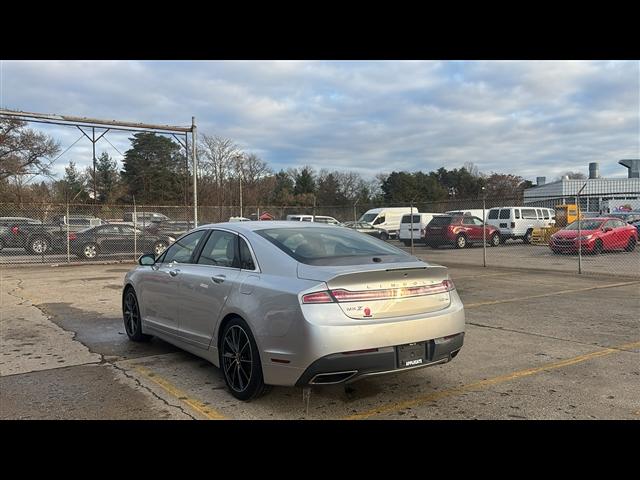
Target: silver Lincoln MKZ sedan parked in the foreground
273,303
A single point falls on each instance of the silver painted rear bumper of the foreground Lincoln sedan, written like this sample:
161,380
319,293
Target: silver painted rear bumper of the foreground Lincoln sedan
318,342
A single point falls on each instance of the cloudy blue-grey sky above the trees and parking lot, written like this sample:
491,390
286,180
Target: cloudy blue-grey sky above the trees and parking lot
530,118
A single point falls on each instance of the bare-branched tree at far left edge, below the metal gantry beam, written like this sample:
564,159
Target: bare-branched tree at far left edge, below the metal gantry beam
23,151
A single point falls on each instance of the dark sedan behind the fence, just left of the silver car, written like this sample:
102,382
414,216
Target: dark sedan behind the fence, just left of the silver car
116,238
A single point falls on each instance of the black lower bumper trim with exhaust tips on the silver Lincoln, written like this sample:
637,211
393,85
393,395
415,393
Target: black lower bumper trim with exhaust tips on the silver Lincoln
348,368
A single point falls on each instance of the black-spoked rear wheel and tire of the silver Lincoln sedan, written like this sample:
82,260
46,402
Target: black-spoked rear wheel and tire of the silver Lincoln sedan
240,361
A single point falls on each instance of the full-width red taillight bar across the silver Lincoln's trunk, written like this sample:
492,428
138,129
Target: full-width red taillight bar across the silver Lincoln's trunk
342,295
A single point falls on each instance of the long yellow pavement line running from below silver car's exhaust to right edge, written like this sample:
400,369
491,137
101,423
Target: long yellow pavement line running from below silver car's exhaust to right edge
392,407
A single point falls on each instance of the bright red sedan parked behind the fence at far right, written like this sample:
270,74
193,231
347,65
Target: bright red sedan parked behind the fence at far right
596,236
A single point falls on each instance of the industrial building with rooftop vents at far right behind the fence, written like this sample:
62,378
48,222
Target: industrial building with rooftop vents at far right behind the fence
604,195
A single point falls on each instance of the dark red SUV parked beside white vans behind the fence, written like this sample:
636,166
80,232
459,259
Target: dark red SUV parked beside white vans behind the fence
458,230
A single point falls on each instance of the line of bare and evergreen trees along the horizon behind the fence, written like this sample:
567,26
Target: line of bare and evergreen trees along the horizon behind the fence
156,171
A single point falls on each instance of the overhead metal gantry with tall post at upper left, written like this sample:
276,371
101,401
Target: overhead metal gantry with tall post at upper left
93,123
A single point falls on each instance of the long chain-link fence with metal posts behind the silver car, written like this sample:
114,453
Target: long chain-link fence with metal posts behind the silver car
534,232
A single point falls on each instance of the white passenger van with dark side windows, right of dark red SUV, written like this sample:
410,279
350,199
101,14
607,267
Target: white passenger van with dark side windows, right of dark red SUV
519,222
